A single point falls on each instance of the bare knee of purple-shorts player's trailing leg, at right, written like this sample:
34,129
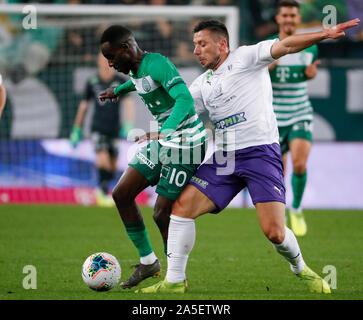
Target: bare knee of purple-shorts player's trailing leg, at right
271,216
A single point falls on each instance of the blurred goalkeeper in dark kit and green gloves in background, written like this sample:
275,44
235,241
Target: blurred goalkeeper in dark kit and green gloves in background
105,128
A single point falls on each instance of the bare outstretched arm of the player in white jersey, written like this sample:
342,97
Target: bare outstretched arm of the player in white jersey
298,42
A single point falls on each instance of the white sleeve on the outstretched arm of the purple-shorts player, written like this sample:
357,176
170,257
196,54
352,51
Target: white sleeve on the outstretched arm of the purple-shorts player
258,55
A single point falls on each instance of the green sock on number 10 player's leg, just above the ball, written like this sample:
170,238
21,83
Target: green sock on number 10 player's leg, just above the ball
139,237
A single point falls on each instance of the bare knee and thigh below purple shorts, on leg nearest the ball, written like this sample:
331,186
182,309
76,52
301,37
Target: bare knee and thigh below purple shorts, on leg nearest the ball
192,203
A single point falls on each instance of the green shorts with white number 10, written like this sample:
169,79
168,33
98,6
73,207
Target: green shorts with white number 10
168,168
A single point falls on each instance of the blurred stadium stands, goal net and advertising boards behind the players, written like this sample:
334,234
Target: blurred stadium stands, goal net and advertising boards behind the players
45,70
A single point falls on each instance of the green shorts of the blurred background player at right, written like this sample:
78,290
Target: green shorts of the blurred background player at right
298,130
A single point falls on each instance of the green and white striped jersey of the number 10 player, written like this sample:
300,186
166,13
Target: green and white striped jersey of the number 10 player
155,77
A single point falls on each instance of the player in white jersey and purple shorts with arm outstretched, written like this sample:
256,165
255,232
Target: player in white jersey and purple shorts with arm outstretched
236,90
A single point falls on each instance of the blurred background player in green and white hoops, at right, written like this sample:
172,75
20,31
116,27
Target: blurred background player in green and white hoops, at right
292,107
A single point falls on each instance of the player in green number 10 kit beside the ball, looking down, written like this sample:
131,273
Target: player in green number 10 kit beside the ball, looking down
173,155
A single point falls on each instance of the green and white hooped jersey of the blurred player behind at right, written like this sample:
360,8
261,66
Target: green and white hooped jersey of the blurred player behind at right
289,83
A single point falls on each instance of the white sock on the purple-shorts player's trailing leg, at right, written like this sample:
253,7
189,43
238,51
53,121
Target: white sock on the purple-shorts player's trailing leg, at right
290,250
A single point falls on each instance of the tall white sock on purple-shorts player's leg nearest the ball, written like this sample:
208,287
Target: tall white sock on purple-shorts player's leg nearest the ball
181,239
